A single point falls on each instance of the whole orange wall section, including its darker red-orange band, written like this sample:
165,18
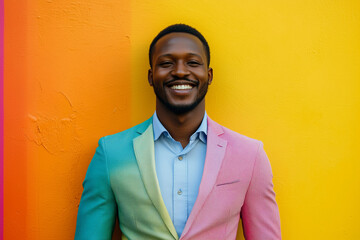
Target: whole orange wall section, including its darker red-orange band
67,84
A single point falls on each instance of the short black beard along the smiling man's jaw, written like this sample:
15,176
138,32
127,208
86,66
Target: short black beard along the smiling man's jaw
185,108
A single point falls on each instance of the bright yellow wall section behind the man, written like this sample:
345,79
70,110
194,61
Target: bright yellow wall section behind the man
287,73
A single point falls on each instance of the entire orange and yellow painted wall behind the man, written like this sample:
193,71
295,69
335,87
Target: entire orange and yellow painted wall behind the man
285,72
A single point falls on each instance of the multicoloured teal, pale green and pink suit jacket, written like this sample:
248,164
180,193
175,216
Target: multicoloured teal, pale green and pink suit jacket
121,180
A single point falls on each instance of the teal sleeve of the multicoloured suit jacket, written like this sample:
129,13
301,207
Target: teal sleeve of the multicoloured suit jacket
97,209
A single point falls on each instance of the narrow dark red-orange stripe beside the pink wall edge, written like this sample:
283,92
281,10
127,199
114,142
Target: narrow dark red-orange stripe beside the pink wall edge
15,162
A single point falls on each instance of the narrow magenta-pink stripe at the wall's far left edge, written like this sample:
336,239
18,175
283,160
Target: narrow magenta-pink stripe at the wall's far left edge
1,119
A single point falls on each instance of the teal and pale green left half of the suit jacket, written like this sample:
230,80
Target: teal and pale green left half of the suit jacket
122,177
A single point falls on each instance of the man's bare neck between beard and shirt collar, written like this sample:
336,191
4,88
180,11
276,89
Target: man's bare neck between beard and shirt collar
181,126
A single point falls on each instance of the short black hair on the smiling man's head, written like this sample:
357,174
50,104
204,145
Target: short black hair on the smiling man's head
184,29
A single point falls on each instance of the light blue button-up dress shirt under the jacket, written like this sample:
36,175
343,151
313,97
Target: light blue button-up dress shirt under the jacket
179,170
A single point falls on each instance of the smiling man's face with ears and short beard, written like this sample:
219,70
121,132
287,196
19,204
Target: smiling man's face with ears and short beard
179,74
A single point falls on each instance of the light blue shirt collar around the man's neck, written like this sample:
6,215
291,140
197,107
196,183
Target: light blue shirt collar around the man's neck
159,129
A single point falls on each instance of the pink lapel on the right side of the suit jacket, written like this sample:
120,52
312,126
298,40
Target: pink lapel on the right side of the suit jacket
215,153
